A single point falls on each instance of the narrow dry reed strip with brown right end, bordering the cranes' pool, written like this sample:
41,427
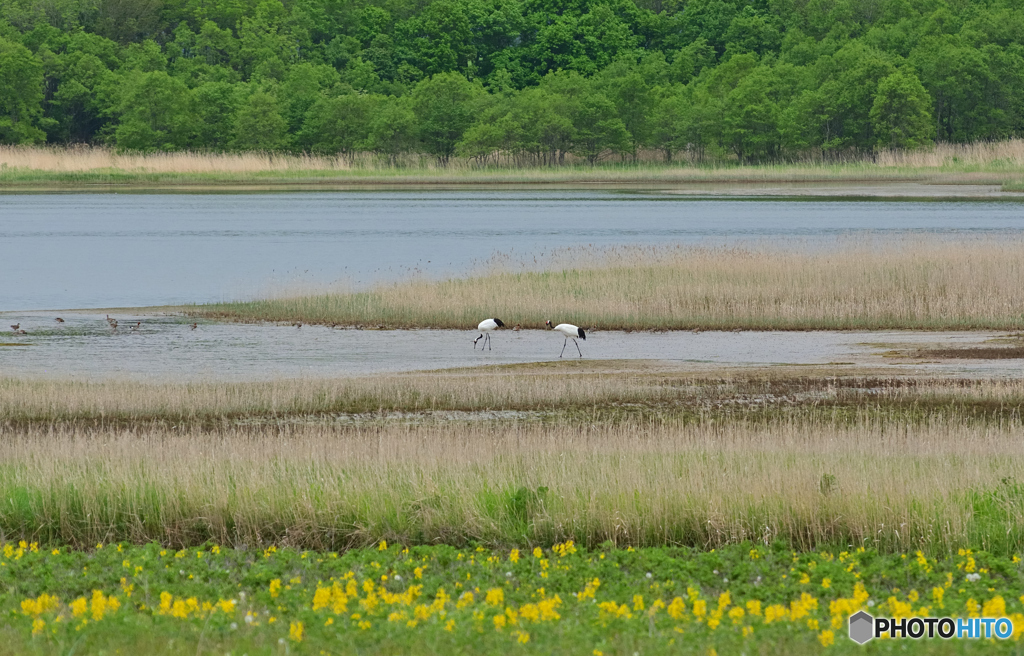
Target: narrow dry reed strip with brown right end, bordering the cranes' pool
571,386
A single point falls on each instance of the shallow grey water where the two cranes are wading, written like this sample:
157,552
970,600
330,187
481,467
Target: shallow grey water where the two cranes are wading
166,348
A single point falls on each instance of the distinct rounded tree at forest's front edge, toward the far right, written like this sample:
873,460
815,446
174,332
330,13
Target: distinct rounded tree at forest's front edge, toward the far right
901,114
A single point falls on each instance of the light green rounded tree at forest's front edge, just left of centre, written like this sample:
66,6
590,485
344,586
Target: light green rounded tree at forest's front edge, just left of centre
445,107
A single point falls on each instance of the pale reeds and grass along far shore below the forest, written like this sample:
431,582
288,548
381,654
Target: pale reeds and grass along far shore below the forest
995,163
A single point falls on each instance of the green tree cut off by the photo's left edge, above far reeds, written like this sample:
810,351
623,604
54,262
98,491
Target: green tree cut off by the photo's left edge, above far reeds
21,95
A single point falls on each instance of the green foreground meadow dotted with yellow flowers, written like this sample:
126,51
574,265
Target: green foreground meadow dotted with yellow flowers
433,600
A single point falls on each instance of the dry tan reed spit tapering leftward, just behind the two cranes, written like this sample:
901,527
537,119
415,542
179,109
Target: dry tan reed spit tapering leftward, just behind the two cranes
857,285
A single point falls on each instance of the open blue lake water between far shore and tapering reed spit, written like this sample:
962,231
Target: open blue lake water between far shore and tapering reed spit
110,250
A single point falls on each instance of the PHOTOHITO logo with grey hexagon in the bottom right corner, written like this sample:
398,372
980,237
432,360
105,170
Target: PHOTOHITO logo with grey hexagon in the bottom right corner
864,628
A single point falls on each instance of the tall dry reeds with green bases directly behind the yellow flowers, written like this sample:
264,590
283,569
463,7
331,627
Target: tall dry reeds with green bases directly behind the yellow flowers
935,488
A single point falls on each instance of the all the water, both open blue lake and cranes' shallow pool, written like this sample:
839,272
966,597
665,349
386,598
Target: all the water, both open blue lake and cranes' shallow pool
109,250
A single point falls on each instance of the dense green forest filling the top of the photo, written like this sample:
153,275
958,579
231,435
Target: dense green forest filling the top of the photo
532,80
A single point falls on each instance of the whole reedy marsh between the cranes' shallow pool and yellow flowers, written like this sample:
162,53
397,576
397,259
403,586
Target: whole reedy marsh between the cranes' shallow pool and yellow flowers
641,460
